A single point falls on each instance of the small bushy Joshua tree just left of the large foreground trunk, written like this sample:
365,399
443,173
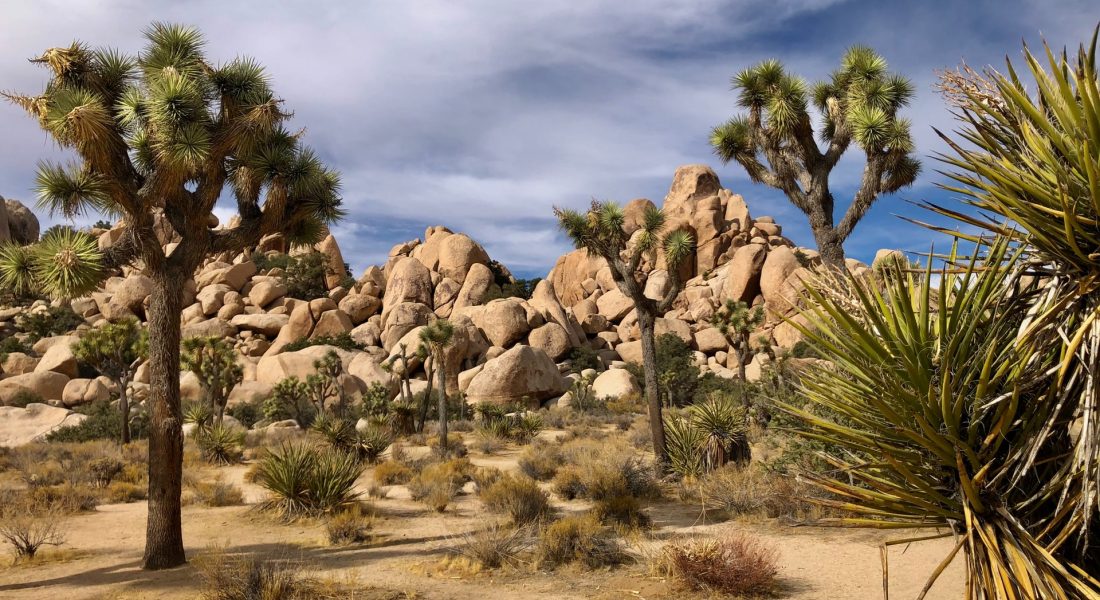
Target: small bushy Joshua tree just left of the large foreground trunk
116,351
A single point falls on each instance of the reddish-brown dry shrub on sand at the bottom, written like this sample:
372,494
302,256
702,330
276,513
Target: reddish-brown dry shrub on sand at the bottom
735,564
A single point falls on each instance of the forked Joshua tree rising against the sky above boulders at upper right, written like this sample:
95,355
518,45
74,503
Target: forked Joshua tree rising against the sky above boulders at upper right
860,104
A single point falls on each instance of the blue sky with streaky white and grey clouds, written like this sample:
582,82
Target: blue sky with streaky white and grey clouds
485,115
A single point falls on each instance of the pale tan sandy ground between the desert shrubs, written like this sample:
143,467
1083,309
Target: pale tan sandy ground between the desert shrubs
103,554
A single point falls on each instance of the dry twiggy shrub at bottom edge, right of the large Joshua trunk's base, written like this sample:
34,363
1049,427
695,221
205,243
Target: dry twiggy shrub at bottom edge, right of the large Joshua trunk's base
247,577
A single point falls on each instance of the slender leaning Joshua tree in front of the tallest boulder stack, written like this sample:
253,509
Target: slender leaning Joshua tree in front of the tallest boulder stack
600,232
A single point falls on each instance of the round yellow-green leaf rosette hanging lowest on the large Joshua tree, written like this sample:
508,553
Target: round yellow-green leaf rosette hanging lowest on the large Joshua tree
68,264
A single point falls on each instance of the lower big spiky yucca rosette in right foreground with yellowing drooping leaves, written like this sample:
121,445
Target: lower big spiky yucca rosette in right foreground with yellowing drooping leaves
944,412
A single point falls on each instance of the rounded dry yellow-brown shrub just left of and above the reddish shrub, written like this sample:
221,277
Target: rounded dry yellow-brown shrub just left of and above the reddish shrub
579,540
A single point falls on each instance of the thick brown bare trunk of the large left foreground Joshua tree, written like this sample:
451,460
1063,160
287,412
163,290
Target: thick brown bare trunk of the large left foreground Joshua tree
164,542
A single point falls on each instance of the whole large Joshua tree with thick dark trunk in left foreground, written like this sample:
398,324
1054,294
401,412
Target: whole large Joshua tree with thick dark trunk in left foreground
158,136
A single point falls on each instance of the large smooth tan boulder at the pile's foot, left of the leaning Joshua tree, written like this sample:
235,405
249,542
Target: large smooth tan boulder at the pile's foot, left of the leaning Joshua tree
520,375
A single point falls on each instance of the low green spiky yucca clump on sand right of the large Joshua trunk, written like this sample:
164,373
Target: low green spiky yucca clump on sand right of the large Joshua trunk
307,481
